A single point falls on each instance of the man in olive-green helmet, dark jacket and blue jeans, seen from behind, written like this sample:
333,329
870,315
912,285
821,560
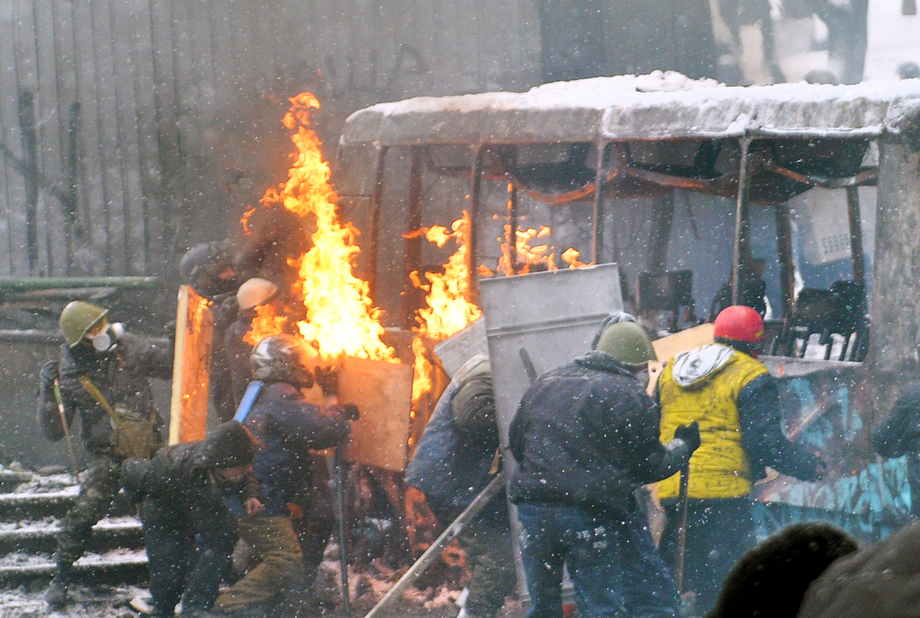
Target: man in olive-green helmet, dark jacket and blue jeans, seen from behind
586,438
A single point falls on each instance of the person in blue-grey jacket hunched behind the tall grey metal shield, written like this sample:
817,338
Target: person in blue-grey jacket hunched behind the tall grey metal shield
453,462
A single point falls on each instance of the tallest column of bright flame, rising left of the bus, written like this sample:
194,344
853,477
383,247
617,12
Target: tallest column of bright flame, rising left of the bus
341,319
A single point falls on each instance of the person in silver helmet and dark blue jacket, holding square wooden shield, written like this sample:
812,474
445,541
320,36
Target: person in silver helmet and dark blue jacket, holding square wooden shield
287,427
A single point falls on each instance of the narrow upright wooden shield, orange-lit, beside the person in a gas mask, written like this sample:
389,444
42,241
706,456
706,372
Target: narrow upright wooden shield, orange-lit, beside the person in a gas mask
188,412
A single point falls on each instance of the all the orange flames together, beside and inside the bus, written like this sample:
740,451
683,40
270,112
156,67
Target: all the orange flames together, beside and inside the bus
341,319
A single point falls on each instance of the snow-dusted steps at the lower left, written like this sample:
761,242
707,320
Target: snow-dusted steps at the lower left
30,516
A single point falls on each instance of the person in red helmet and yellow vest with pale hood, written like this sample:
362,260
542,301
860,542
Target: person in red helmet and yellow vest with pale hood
735,400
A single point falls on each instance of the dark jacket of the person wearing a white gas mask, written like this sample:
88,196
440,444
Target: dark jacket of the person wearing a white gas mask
120,375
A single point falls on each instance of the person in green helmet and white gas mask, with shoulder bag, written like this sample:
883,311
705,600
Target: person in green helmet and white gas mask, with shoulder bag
102,377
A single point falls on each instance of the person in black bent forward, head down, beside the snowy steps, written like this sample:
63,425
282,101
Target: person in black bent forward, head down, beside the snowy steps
189,531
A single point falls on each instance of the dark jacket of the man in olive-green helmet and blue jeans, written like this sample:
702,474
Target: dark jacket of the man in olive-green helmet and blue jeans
586,433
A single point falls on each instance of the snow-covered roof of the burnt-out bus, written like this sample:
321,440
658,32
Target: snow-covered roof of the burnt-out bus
627,107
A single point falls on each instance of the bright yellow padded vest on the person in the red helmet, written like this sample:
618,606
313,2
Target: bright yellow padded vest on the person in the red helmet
719,468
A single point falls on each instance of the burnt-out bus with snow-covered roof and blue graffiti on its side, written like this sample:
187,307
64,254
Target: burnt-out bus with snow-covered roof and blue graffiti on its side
804,197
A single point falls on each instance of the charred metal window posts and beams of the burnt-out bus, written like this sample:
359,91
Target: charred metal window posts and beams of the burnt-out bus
612,161
